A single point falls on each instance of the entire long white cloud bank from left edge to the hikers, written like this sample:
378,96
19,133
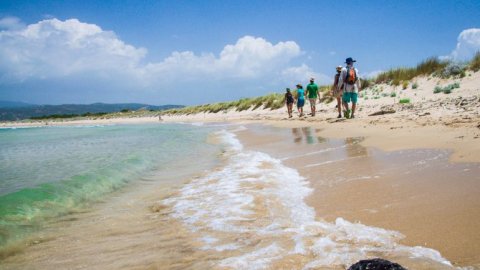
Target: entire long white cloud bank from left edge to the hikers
70,50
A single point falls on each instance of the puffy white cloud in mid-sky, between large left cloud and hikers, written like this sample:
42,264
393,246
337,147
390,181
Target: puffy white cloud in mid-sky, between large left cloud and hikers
248,58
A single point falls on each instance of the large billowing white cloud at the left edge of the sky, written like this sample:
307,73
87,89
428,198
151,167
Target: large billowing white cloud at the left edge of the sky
53,48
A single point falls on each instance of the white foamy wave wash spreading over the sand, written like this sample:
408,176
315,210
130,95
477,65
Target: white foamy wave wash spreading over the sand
256,206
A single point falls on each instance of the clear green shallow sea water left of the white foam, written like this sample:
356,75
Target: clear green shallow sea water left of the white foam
48,172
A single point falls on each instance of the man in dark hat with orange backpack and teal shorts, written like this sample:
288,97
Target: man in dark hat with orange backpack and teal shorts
349,82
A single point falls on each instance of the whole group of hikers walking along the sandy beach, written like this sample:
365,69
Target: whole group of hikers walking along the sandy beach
345,89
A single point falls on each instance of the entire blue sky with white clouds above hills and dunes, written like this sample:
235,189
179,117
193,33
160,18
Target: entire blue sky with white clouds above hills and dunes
192,52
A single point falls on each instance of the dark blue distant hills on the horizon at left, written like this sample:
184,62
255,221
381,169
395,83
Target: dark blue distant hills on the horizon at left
11,111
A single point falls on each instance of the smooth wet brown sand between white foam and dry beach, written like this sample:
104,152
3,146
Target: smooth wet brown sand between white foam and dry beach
418,192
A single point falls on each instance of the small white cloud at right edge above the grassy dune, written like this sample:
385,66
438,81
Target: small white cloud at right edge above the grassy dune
468,43
